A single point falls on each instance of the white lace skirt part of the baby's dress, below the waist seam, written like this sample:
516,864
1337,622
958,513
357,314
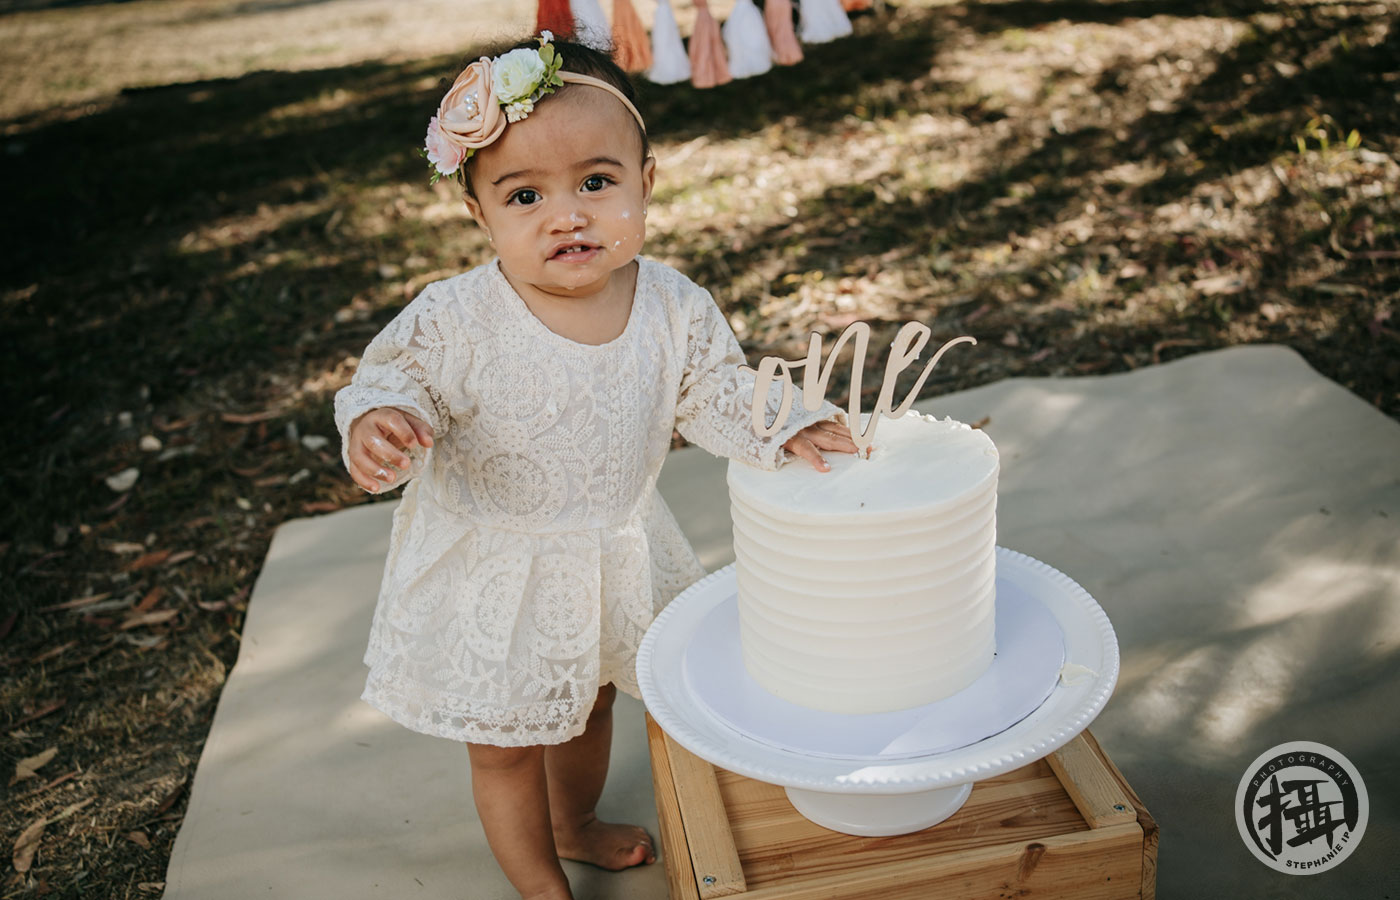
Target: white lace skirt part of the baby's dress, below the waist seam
503,638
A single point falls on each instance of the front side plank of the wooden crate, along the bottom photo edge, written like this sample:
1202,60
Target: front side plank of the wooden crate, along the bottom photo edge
1098,864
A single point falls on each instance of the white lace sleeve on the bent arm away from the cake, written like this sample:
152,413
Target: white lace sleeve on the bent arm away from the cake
401,369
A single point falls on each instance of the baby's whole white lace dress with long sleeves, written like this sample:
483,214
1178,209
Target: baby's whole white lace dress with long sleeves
531,549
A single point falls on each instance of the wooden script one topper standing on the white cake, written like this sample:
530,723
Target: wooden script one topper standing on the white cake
906,348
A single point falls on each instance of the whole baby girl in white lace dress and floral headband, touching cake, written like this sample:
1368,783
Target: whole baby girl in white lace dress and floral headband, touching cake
528,407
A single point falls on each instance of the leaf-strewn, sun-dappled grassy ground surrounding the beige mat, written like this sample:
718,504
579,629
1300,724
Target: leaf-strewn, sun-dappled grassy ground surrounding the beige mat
213,205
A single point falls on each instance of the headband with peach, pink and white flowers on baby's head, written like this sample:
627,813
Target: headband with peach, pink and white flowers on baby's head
491,93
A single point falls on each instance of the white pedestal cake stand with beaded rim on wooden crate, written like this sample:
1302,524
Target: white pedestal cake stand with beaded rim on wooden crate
1058,663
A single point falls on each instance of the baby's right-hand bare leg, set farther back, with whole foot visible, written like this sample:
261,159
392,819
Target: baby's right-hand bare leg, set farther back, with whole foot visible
577,772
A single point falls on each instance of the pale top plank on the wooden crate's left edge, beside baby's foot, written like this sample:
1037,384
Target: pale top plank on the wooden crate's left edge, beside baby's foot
713,856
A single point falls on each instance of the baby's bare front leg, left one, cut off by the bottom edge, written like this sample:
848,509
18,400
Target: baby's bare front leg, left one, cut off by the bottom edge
512,799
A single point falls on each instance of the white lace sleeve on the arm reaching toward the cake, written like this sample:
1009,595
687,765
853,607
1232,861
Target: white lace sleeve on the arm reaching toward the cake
715,408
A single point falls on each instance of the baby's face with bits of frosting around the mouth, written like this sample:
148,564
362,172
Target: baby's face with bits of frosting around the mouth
563,192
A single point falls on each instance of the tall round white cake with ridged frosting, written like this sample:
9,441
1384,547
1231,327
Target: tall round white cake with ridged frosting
870,587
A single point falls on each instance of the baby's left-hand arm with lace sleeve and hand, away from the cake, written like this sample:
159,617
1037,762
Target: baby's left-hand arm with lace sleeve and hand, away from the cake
393,411
